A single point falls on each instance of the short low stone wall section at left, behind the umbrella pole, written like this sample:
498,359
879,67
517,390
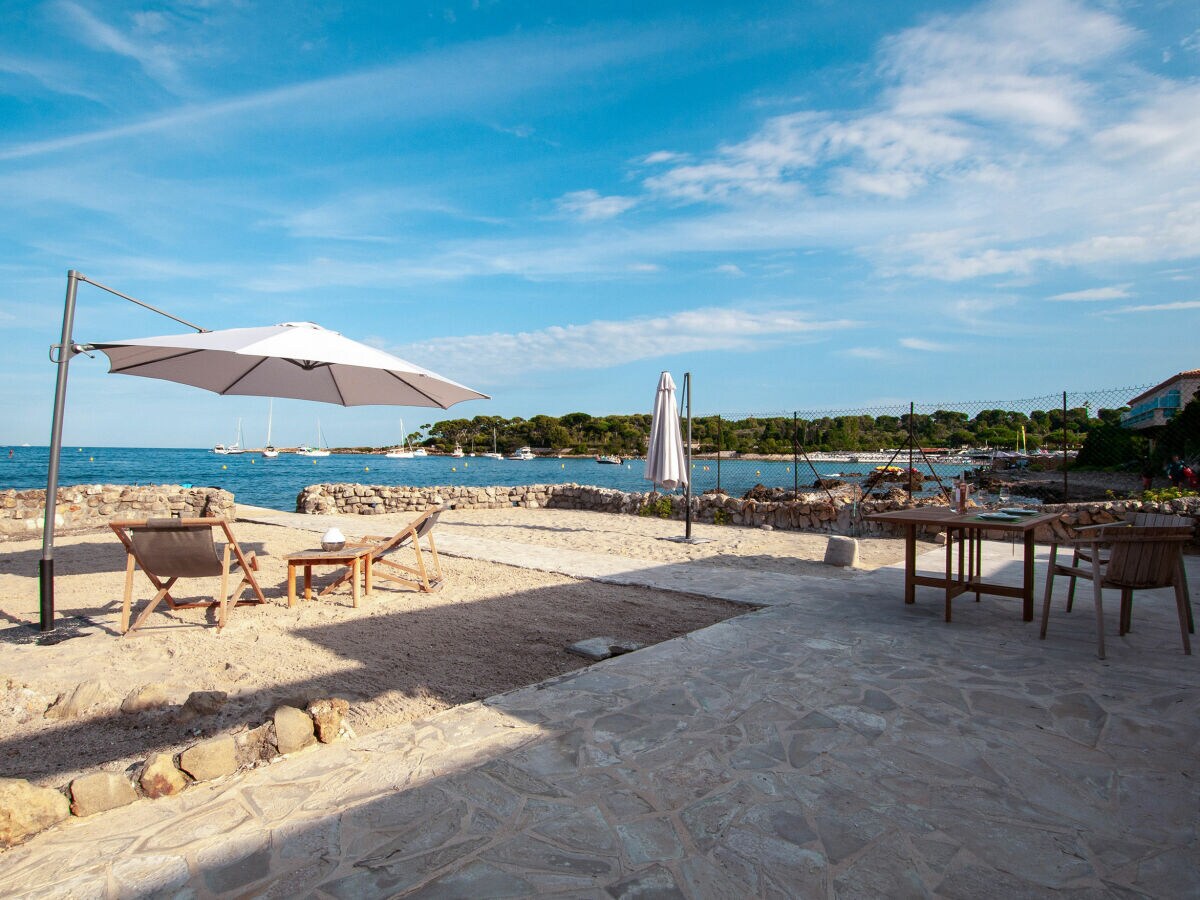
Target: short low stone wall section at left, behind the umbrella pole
23,513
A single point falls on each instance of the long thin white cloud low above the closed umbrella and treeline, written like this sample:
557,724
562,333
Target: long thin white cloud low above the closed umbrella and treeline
609,344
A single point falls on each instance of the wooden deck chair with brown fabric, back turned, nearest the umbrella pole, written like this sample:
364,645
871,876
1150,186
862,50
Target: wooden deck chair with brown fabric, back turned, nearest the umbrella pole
172,549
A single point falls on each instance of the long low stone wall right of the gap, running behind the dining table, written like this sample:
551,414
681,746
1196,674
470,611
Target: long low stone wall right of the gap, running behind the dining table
812,513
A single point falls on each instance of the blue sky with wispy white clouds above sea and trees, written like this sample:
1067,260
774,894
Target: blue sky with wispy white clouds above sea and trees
807,205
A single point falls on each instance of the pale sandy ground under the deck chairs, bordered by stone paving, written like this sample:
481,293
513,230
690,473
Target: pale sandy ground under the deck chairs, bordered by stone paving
399,657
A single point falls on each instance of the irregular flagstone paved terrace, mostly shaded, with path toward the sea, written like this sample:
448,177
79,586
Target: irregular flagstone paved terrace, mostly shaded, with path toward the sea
836,743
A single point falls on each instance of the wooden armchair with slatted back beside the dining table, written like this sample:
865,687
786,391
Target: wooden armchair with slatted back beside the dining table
1139,559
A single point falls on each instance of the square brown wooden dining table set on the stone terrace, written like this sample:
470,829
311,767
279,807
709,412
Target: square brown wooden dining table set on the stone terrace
964,545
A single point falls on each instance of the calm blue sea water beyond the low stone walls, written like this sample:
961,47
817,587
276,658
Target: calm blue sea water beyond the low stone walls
277,483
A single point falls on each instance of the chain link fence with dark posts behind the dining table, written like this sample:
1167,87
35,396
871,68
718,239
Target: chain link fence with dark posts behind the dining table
1047,448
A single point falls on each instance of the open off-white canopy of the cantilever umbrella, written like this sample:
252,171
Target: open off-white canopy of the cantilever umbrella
296,359
